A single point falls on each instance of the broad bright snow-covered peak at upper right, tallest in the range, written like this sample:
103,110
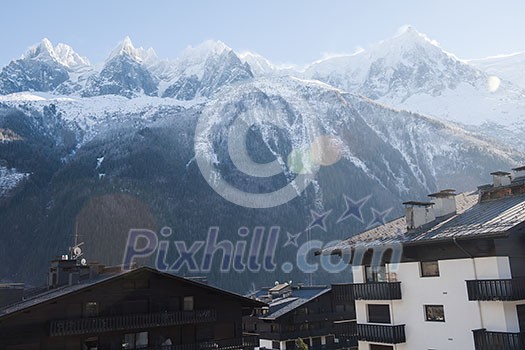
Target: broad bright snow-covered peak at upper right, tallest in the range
411,71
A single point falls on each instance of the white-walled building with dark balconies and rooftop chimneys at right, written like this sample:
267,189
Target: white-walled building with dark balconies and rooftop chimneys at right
448,275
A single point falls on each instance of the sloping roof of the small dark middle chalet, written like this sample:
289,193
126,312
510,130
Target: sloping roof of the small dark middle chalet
281,306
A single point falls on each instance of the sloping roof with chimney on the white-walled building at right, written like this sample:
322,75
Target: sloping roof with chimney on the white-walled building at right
472,220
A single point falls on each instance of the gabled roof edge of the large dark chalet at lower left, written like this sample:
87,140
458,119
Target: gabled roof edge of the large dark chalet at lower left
57,293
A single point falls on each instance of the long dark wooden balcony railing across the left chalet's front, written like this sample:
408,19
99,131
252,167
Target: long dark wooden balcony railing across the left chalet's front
128,322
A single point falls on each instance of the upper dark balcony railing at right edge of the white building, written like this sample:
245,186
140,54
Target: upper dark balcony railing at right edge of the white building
501,290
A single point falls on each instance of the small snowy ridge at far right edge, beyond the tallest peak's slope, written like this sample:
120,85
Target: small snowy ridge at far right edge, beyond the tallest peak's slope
509,67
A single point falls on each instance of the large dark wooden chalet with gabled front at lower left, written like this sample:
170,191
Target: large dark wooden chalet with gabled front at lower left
142,308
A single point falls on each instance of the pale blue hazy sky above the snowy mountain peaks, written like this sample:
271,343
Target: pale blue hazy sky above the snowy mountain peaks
283,31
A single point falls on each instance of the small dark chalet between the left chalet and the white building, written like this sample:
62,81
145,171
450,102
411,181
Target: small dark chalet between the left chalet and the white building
311,313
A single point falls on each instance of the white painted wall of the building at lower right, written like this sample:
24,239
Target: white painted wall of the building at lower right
449,289
